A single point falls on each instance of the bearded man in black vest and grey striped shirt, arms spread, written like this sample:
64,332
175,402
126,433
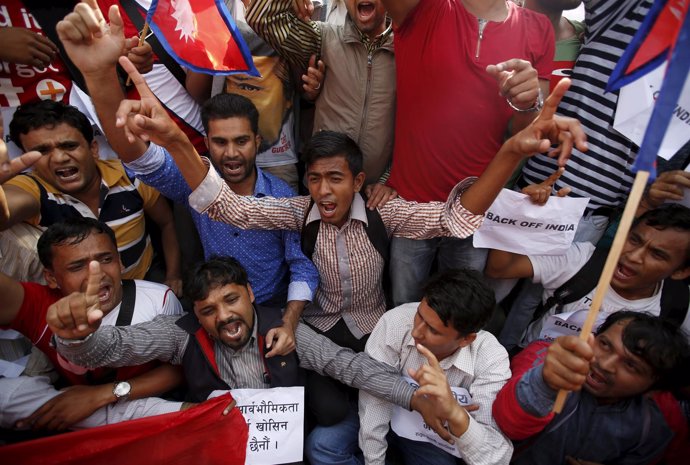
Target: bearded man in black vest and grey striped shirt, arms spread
220,346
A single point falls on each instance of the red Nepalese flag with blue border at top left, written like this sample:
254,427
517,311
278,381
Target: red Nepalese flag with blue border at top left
201,35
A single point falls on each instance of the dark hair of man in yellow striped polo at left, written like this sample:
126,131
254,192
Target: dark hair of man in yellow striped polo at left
48,113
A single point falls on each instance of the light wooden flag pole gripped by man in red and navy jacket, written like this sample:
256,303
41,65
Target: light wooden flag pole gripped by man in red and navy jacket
639,184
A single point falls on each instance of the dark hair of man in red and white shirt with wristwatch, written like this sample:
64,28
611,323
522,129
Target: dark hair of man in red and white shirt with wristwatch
71,231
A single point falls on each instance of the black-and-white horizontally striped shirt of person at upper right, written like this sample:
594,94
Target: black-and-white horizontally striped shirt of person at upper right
603,172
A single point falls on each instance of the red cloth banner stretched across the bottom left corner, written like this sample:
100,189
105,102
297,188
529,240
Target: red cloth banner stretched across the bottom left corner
200,435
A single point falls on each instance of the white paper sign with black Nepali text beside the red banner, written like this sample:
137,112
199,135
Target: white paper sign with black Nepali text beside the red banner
276,423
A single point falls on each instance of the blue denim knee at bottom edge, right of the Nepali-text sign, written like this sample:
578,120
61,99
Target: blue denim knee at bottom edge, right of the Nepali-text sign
337,444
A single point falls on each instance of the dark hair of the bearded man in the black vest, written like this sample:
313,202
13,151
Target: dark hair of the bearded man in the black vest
214,272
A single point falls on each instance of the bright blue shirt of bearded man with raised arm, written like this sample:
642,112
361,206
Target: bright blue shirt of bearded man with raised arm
273,259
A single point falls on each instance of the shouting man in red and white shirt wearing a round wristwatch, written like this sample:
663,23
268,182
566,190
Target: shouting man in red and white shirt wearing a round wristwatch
65,250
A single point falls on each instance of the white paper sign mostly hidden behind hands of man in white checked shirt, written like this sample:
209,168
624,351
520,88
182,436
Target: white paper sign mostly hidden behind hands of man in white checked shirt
411,425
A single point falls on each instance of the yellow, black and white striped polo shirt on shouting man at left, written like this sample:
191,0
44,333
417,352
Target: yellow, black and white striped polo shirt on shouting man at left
122,204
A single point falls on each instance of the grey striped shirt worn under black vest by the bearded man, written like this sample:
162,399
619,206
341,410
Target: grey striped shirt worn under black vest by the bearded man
161,339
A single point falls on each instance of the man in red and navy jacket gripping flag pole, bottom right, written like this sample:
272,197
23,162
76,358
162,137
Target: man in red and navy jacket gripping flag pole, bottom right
608,418
